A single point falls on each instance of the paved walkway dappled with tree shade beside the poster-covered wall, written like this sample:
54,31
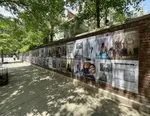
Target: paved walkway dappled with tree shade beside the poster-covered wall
34,91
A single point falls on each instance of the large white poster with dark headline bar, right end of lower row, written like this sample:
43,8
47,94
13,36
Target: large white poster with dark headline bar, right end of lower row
125,75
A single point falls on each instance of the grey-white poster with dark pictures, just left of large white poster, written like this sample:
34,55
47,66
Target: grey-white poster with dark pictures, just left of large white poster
104,71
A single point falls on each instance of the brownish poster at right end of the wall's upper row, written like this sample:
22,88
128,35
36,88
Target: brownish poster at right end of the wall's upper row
125,45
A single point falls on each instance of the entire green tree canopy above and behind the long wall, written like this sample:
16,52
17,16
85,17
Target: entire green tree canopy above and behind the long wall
38,21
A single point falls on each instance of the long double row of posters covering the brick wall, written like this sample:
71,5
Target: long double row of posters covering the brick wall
111,58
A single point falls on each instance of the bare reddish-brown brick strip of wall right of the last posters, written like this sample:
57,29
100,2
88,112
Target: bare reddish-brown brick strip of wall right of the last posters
144,59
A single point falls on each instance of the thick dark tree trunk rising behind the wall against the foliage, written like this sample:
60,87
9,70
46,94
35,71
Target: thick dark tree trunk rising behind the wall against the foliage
98,13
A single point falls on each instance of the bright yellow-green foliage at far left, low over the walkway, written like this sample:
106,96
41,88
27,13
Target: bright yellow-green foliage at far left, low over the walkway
14,37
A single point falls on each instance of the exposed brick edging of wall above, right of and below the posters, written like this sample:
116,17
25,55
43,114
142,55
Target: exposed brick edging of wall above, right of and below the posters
142,24
